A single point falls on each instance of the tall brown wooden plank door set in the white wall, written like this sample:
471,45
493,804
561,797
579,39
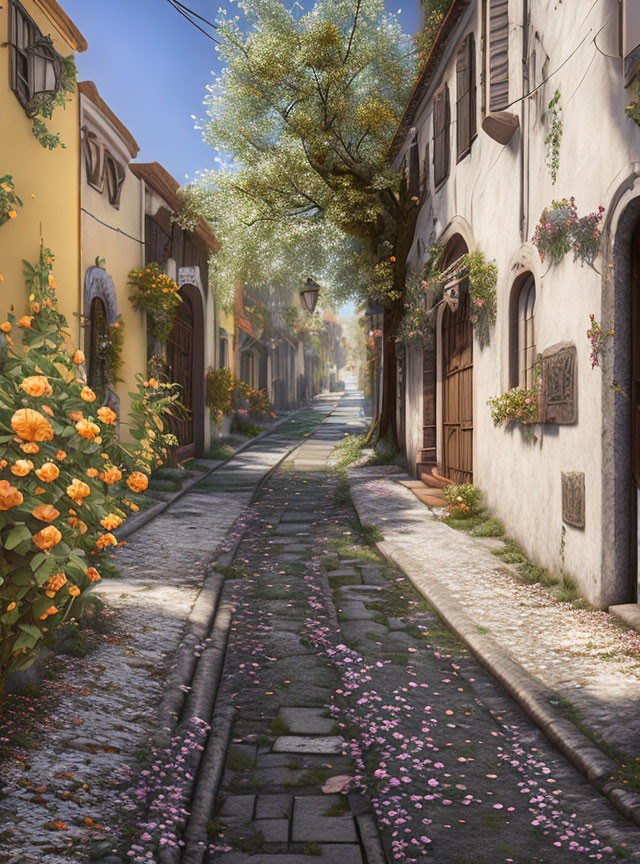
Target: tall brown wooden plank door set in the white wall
457,408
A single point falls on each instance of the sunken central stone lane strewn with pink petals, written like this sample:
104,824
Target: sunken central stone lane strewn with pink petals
328,642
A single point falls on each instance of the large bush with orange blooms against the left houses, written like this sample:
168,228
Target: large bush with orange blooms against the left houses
59,505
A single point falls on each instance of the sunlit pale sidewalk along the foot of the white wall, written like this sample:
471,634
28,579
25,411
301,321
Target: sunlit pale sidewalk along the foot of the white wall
586,656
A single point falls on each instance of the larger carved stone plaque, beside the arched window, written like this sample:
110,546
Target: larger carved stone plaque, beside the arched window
559,389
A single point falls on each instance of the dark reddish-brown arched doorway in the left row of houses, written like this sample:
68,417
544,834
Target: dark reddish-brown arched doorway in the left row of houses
185,358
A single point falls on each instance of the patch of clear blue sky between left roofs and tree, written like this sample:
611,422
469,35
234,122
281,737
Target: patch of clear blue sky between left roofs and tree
151,67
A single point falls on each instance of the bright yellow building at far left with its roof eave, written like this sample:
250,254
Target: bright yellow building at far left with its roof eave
35,38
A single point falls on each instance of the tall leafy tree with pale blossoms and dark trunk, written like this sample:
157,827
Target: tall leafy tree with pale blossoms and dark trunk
304,111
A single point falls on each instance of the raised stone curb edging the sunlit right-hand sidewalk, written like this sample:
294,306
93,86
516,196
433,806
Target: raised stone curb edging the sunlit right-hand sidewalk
533,696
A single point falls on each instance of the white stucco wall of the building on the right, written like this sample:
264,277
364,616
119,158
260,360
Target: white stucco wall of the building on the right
482,197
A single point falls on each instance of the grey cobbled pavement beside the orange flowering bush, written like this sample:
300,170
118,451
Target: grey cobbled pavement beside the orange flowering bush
60,800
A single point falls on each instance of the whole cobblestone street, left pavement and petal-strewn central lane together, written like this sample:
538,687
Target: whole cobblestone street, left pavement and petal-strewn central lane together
348,724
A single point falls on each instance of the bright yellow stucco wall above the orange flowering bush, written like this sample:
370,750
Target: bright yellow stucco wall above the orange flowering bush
51,177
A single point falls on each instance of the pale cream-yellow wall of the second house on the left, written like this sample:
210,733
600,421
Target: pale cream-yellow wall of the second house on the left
123,252
